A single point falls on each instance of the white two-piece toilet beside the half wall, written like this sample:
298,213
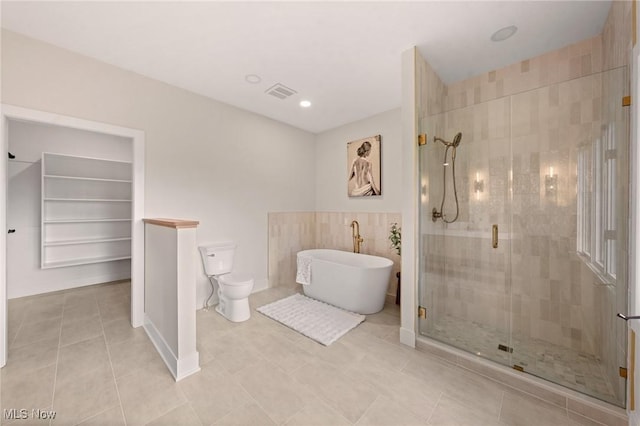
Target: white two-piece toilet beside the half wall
233,288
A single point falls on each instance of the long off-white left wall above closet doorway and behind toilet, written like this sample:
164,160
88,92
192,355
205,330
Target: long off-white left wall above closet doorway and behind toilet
204,160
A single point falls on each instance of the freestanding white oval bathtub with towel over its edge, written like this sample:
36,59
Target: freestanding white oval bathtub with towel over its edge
352,281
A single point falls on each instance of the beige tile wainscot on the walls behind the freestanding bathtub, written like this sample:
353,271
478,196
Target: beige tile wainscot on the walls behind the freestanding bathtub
293,232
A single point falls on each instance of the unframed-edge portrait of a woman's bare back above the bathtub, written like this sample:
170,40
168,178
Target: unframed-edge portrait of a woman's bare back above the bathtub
363,162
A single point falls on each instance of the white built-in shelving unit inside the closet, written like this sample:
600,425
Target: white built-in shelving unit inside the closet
86,210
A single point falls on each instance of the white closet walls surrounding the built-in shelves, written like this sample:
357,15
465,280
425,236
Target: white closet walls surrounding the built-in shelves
27,141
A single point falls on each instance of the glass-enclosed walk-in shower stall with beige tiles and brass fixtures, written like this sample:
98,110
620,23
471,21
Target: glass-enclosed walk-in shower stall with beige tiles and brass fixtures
523,235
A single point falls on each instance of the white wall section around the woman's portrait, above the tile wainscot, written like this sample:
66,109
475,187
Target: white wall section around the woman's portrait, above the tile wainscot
332,168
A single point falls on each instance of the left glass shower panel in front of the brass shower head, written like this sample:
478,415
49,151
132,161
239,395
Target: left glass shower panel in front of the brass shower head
464,262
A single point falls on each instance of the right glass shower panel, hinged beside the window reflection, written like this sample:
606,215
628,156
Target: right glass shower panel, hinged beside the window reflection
570,227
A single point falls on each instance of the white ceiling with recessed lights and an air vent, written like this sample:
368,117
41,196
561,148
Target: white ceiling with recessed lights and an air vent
342,56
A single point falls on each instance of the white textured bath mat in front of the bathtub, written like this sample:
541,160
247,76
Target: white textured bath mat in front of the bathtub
317,320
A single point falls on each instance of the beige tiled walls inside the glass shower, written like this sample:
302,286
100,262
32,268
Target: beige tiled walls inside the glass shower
517,122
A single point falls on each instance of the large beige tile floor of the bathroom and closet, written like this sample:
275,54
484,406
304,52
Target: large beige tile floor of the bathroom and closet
75,353
